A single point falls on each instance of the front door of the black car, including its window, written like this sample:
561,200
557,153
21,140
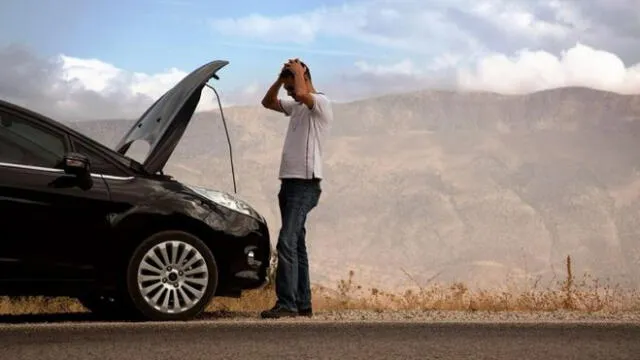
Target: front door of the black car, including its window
47,222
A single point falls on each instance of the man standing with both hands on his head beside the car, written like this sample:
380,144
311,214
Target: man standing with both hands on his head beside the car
301,171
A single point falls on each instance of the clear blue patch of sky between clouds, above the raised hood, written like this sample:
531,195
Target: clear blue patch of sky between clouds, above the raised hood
153,35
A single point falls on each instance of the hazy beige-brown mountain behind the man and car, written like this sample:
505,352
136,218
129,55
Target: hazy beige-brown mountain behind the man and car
473,187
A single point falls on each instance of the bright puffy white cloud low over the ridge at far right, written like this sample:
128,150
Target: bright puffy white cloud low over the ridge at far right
531,71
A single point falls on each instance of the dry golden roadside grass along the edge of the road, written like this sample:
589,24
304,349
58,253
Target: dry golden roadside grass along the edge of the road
569,294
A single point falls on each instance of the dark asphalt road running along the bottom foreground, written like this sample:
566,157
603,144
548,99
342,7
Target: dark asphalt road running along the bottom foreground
277,339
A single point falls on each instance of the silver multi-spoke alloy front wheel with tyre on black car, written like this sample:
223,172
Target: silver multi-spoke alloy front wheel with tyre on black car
172,275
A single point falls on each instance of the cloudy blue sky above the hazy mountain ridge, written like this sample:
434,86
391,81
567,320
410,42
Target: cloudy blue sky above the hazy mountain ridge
85,59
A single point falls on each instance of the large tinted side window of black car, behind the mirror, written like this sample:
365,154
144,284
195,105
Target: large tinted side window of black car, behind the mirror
24,142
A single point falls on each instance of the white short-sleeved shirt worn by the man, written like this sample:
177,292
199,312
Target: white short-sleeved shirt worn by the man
306,137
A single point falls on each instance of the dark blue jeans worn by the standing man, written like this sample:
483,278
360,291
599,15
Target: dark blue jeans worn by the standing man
297,197
